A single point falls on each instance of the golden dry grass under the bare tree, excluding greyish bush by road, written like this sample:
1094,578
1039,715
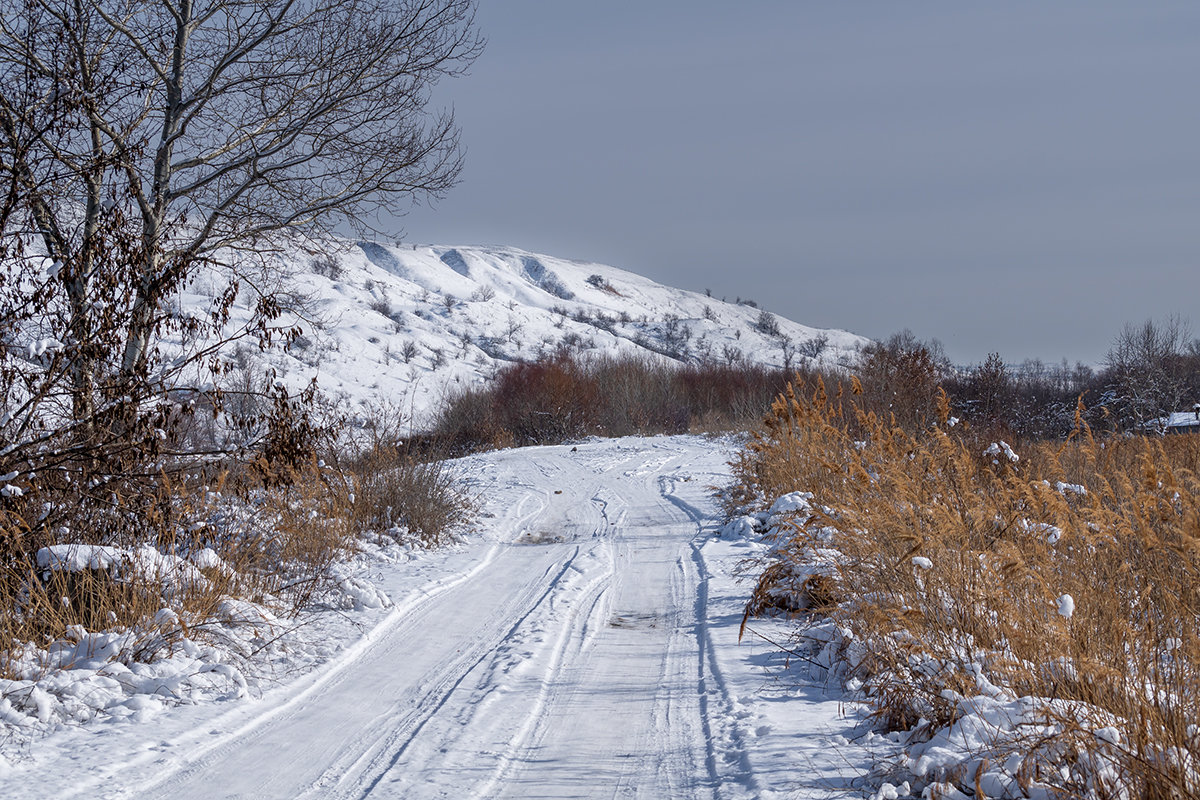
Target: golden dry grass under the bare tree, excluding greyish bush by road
274,548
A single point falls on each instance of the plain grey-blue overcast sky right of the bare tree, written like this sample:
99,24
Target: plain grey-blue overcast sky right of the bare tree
1017,177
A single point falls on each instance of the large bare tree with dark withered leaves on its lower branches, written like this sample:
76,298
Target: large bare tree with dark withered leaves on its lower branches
142,141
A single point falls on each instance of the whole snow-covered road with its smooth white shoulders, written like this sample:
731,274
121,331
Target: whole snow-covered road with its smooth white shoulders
585,645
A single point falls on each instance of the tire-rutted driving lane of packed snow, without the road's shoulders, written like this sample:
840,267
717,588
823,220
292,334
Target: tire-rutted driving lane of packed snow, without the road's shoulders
533,681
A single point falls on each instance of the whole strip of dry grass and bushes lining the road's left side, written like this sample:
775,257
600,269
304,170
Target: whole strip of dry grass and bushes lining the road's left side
190,550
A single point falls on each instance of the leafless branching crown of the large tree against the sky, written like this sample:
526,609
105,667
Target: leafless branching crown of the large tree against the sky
170,130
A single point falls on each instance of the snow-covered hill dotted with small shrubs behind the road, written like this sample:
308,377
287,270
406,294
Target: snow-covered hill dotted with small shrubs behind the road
406,324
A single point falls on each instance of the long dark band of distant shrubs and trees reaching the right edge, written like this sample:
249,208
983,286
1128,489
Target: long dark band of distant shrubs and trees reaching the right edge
1150,371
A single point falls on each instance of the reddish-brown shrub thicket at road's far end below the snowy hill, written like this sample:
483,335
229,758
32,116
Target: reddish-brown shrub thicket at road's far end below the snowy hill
565,398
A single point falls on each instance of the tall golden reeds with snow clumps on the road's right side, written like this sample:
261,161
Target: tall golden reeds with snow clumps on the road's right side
1025,612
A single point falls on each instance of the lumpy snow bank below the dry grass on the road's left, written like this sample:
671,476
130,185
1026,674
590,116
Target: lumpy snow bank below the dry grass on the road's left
134,675
